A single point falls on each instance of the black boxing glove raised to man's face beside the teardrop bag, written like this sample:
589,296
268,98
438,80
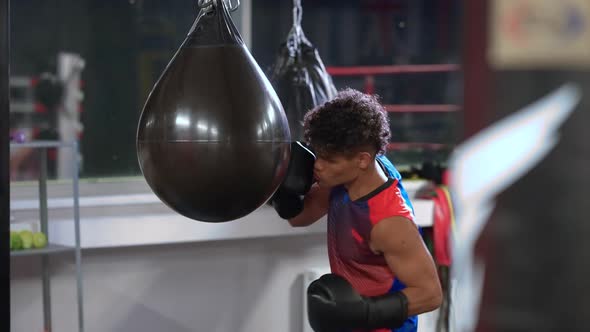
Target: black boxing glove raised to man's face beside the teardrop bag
288,199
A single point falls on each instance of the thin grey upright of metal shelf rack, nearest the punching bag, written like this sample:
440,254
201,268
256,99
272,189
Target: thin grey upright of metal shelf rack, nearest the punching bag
75,174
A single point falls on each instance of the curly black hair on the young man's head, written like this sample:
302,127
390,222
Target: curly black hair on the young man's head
348,123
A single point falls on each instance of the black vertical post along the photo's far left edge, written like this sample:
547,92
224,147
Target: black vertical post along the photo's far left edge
4,158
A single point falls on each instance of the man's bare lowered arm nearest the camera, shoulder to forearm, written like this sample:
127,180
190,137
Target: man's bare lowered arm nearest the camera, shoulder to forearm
398,239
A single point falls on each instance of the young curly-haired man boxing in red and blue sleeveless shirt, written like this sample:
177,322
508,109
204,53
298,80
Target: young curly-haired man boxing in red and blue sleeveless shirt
382,274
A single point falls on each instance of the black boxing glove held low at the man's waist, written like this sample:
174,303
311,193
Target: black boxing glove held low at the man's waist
333,305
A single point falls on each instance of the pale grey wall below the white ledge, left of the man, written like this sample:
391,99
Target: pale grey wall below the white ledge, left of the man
238,286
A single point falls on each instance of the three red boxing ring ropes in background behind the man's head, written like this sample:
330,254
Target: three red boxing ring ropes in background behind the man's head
369,72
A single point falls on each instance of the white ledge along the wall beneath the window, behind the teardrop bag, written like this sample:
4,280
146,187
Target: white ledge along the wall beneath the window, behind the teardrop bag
101,232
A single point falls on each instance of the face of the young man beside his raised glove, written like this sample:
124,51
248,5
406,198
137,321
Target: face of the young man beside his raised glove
335,169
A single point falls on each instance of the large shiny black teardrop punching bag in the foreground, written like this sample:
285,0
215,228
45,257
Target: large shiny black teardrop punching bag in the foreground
213,140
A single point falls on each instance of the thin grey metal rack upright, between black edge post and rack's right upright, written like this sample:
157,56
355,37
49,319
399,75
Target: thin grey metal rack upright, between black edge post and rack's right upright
46,277
